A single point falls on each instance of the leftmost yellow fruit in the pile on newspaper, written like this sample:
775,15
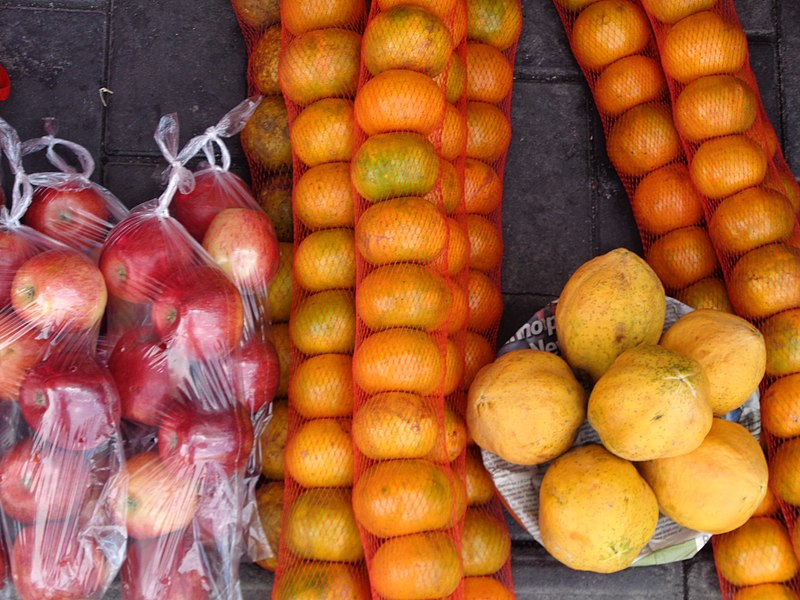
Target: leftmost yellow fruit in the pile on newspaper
525,407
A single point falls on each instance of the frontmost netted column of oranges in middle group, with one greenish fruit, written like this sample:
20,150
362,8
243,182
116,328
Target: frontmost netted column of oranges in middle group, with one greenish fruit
407,172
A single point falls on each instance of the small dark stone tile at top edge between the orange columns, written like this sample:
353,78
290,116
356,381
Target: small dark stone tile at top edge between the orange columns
543,50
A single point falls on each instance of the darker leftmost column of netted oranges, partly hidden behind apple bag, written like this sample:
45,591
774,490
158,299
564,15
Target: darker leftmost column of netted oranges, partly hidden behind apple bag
268,149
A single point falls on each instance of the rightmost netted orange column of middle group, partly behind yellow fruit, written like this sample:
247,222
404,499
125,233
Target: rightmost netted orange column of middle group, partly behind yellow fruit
492,33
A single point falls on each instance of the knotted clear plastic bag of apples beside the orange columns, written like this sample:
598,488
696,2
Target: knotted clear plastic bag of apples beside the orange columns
195,369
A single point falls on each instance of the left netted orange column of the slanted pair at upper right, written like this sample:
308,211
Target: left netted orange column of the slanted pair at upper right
615,48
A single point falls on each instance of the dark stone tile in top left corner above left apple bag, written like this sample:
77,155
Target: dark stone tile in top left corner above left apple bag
54,72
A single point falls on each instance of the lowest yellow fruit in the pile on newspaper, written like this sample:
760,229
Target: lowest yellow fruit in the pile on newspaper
595,512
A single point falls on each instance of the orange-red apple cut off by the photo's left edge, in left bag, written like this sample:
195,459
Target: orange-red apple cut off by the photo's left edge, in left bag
19,351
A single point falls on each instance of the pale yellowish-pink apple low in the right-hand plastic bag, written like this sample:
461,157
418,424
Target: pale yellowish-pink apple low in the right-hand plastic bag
153,500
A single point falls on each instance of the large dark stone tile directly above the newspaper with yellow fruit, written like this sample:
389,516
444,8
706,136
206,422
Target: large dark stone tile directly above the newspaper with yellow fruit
547,200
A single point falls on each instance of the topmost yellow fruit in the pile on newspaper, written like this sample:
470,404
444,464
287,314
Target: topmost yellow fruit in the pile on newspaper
611,303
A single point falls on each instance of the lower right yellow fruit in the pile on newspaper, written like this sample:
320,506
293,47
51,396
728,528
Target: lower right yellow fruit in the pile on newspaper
716,487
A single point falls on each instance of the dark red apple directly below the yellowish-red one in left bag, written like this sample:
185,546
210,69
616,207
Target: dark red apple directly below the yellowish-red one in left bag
72,404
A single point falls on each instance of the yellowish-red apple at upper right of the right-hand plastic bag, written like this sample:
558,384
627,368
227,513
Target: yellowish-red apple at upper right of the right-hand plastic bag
243,243
